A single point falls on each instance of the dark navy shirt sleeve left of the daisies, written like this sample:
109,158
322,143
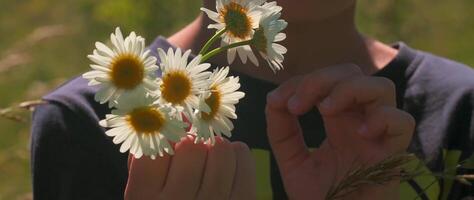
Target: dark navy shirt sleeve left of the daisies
72,158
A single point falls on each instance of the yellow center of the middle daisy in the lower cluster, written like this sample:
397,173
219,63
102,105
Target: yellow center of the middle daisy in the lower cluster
176,87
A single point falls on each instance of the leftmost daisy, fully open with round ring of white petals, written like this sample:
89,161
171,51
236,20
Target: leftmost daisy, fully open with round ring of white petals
124,68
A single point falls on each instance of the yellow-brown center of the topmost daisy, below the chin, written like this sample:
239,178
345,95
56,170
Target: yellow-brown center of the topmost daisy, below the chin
237,22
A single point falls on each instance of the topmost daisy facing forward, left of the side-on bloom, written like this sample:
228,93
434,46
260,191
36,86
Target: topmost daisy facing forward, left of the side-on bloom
238,18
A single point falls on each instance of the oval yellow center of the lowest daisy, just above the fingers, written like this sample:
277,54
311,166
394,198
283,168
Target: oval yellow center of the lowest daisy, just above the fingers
146,120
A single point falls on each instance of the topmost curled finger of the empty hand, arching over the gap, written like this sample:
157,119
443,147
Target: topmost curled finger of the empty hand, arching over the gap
318,84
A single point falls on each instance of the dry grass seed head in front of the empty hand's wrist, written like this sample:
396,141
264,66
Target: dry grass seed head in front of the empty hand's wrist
378,174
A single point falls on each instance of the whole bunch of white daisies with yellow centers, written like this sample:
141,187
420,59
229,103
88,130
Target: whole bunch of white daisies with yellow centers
149,111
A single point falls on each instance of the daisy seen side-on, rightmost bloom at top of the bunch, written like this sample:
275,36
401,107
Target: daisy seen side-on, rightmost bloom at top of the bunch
268,34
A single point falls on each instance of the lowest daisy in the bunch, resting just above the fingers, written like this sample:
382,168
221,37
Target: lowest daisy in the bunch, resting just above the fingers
143,127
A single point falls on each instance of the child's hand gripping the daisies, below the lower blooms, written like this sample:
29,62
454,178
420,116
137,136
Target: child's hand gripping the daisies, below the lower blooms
196,171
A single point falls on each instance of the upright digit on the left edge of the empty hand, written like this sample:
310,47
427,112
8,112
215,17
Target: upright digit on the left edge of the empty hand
283,129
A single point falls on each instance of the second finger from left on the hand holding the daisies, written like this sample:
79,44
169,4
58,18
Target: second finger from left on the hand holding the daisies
186,170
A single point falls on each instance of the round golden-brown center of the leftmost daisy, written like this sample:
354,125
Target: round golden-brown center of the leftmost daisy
127,71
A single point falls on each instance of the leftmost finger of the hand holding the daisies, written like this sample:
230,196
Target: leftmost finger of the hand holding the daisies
146,177
